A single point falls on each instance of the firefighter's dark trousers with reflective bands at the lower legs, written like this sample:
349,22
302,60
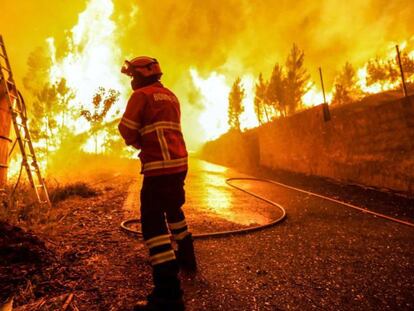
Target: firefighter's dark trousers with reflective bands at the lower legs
161,200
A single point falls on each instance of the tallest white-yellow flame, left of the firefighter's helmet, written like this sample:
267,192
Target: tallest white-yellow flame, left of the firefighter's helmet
92,60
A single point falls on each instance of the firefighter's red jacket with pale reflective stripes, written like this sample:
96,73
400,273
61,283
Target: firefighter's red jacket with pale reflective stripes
151,122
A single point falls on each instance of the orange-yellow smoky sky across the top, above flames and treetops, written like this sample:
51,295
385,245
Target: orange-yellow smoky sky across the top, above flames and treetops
207,33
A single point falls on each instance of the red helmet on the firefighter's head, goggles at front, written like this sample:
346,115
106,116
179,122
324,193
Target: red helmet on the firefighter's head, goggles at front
142,65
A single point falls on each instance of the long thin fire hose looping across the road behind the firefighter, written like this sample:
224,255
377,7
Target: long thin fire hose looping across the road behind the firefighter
125,224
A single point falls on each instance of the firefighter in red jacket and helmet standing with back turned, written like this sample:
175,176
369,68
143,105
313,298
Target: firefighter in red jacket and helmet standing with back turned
151,123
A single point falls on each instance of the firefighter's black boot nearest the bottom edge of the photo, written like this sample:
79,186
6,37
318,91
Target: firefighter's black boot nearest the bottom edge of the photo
167,294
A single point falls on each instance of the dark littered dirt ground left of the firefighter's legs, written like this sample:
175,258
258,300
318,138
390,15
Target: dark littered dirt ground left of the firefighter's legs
80,251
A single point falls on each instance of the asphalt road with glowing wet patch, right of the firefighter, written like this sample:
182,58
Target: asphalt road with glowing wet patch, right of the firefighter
323,256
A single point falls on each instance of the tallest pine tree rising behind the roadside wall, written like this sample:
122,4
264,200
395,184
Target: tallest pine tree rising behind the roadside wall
297,79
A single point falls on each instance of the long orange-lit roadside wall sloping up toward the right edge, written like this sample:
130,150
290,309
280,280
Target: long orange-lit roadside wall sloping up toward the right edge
370,143
